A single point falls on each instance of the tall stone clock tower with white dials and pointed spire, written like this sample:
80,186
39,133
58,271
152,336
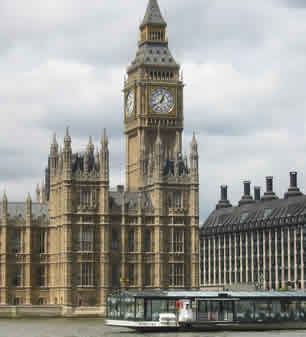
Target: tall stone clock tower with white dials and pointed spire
153,100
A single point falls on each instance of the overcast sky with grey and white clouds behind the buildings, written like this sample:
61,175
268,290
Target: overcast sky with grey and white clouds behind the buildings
62,62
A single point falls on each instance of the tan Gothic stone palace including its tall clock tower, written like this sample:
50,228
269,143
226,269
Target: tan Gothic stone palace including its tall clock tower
84,240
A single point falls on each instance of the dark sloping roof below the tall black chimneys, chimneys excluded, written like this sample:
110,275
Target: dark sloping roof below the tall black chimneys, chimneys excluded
265,213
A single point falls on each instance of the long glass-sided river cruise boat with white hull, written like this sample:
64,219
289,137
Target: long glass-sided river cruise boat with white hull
196,310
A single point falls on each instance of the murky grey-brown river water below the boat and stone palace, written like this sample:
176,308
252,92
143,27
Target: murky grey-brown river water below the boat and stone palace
95,328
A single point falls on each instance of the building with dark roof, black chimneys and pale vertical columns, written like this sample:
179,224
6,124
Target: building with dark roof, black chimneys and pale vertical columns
260,242
